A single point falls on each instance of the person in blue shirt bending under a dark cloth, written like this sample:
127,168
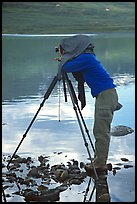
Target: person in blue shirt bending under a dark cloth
78,57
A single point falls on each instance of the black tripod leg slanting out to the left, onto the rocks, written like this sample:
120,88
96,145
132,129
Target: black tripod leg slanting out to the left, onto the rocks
52,85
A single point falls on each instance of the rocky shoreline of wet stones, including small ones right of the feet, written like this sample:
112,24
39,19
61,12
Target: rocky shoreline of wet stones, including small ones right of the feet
44,183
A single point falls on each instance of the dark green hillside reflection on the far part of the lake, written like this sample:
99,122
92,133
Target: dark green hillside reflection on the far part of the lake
28,65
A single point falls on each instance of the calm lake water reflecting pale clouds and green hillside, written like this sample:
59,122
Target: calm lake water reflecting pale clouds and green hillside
28,68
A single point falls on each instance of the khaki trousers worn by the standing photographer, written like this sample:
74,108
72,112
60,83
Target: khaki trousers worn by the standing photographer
105,105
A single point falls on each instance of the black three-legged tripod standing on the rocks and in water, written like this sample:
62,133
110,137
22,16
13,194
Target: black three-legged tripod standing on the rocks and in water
66,80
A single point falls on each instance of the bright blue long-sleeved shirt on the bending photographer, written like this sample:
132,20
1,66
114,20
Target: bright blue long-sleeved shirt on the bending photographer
94,74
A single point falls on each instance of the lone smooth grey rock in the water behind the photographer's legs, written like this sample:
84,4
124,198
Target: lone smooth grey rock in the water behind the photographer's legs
121,130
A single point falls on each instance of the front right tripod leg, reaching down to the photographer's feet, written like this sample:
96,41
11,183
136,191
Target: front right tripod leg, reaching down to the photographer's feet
74,101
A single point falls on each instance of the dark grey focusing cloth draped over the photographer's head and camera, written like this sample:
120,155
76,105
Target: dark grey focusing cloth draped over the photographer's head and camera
74,46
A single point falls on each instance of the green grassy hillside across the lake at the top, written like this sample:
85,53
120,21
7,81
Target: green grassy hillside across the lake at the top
67,17
